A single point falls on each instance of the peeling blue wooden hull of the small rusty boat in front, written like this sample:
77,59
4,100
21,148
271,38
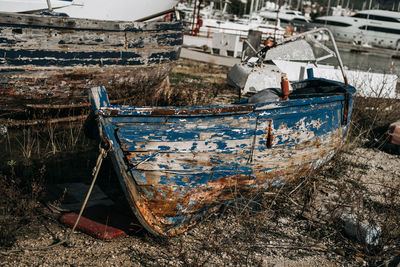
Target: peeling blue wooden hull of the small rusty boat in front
177,164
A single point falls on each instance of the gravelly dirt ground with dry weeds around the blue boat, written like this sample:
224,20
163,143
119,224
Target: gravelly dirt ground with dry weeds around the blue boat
297,224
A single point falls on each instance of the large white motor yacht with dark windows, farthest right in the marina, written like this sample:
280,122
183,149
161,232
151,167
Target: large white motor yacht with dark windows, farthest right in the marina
379,28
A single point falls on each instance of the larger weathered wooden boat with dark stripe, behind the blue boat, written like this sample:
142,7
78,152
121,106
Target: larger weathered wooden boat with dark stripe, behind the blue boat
47,63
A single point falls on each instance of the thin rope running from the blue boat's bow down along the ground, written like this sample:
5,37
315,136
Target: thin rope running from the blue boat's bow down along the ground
95,173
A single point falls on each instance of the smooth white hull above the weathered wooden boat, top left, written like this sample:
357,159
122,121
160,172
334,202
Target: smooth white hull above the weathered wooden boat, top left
130,10
